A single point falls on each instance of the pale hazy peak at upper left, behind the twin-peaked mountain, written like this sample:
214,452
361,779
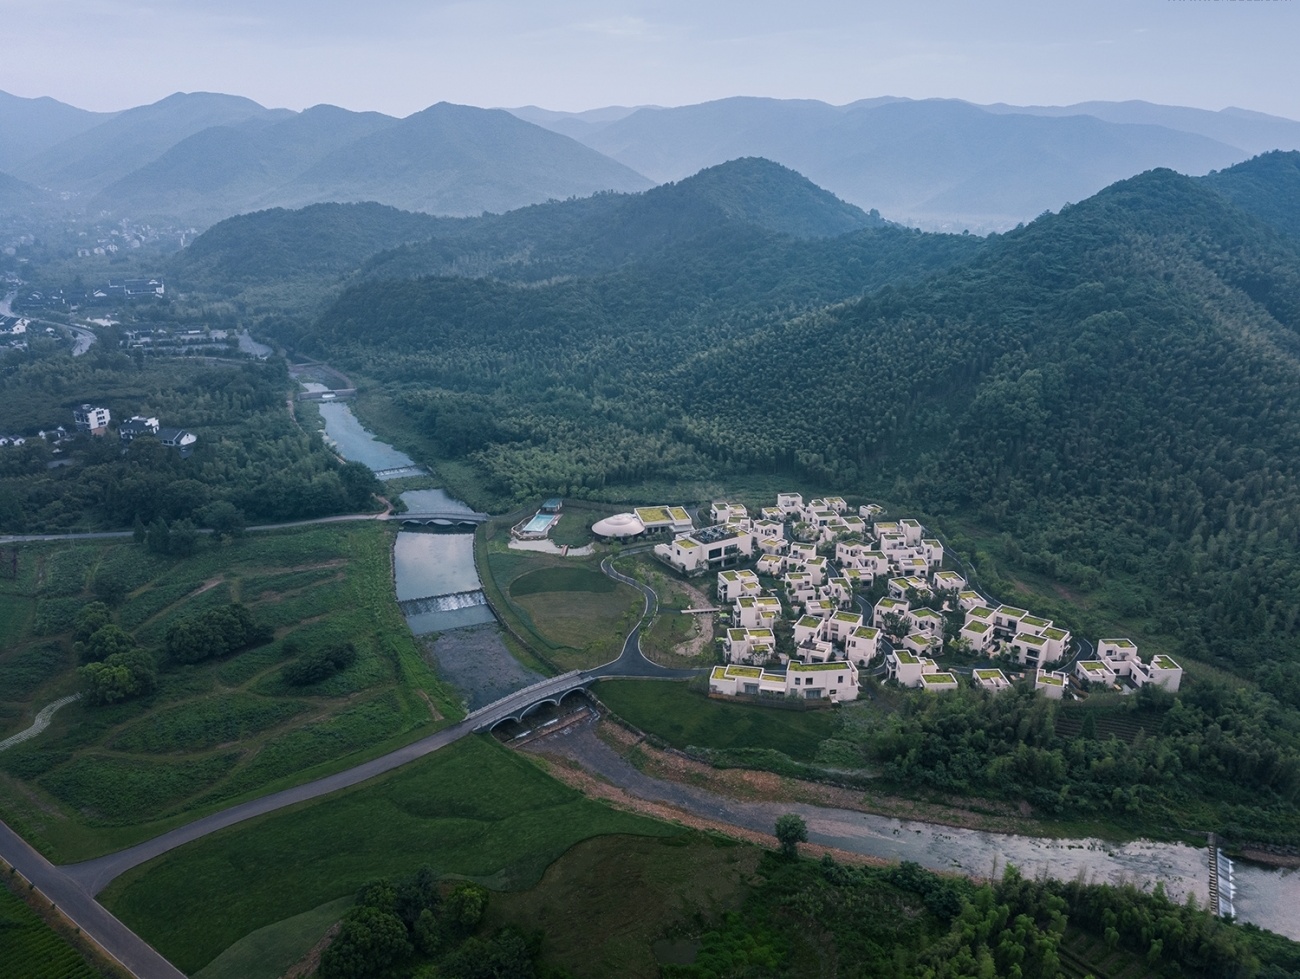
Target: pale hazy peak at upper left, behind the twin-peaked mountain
97,158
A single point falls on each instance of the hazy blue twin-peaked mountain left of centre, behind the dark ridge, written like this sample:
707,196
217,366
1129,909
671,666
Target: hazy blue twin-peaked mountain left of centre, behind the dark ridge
447,161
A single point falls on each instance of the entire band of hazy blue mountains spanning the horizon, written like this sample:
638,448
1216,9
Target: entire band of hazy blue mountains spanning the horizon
942,164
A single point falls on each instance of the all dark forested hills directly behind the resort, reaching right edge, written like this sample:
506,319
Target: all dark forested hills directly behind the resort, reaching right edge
1117,387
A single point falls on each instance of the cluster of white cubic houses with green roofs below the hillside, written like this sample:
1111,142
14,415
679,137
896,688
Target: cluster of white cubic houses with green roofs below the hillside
833,560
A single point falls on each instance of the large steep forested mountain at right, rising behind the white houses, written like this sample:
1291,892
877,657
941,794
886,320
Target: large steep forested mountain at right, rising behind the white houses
1116,387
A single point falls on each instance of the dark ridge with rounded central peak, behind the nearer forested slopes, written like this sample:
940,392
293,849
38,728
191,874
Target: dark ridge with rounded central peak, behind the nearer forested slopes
558,239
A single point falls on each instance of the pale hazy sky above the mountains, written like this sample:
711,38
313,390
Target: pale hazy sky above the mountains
400,57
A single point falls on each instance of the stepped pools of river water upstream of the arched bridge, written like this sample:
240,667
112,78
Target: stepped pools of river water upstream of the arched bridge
437,583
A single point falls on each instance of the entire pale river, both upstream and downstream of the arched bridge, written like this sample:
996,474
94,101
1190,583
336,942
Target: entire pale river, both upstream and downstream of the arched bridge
439,588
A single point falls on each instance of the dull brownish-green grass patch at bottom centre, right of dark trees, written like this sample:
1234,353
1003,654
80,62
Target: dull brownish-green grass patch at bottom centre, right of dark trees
606,902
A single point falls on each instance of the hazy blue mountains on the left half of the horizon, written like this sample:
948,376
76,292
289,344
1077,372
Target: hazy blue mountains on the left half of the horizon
201,158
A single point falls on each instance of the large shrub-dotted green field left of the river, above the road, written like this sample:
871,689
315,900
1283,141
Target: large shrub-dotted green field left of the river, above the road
106,777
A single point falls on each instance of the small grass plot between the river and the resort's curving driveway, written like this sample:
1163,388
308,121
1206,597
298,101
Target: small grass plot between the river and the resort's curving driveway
565,609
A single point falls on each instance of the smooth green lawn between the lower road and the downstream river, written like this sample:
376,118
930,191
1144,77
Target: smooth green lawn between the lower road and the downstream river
474,809
